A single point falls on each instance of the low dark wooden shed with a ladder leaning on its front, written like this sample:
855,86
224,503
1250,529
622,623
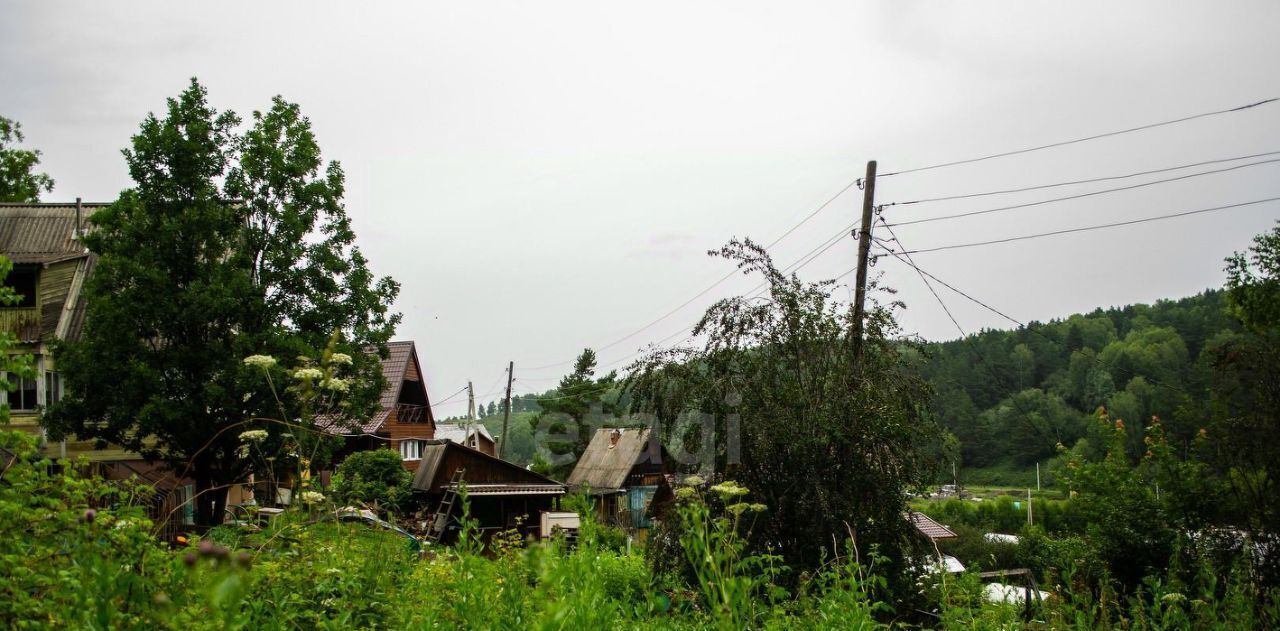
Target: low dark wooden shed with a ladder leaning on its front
502,495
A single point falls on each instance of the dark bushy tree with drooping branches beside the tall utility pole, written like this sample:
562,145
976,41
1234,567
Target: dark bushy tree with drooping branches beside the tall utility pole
829,438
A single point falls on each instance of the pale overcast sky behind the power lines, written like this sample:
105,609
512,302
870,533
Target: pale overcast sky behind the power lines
545,177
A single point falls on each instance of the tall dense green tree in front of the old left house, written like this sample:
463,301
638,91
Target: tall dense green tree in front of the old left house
230,245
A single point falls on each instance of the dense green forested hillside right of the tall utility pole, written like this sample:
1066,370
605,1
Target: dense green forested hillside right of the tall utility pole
1012,396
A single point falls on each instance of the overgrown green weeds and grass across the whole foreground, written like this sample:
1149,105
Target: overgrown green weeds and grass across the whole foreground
74,569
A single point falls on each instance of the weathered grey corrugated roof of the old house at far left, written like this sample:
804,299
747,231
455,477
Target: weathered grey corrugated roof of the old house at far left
42,232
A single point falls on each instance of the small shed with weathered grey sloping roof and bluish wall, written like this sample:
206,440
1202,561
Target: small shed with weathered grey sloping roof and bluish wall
624,470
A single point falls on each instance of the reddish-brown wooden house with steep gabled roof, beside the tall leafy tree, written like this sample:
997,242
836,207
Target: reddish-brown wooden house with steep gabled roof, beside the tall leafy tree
404,420
